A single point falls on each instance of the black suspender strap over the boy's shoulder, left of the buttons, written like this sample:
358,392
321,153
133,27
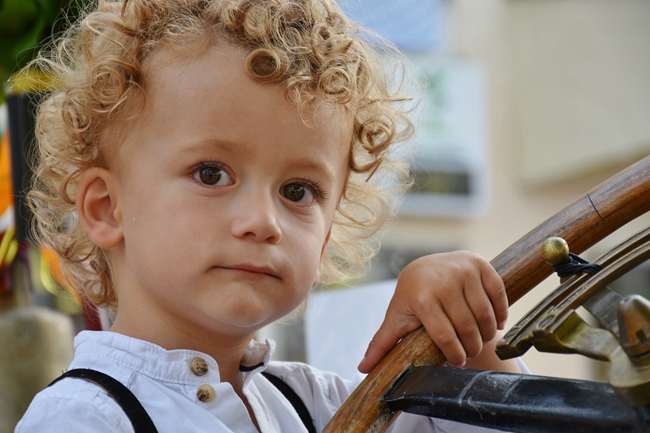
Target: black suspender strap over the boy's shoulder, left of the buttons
132,408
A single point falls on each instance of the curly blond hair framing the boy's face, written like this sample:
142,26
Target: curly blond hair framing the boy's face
308,45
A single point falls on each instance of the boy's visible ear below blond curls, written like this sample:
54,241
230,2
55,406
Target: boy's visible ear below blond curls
97,207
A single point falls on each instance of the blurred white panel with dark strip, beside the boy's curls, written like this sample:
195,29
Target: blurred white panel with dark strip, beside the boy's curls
450,158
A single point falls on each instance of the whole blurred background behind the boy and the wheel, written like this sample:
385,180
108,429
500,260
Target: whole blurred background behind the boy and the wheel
527,105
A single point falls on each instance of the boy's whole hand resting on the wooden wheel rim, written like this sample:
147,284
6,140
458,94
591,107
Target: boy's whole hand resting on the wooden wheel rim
458,297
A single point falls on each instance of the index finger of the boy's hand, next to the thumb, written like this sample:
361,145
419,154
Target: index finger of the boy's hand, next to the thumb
442,332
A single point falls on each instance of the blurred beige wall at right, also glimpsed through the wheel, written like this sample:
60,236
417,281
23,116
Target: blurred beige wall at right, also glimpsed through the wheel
537,162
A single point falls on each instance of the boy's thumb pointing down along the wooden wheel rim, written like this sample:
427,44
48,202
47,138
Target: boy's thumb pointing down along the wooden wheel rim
393,328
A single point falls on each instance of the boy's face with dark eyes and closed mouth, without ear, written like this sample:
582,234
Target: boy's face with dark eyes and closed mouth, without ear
225,199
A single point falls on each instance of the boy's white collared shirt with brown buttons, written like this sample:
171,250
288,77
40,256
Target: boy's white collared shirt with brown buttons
166,386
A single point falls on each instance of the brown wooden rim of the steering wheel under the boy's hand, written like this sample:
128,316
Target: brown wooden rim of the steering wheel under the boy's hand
583,223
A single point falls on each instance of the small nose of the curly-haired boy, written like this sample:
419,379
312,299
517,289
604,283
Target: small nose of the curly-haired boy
257,217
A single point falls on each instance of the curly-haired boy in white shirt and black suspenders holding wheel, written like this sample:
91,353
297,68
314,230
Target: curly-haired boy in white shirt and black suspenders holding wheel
204,162
